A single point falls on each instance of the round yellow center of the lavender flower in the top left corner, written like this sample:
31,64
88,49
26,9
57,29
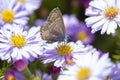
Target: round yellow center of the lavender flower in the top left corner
7,16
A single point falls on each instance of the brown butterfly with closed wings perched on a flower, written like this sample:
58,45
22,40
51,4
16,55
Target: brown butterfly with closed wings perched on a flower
54,29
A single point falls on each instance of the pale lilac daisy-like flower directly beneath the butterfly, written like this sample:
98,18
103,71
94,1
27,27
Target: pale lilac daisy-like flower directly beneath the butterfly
60,52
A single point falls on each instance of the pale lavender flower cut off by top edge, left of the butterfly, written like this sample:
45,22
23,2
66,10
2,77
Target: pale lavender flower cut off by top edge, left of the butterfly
30,5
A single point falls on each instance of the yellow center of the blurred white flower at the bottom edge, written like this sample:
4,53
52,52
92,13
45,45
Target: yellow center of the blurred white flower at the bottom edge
83,74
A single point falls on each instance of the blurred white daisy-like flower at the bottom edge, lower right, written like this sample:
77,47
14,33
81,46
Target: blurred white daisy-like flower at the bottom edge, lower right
89,67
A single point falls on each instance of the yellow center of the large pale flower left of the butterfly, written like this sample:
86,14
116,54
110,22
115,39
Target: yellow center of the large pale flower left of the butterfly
18,41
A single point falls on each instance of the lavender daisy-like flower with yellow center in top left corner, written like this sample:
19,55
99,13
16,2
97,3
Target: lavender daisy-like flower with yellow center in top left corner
12,12
